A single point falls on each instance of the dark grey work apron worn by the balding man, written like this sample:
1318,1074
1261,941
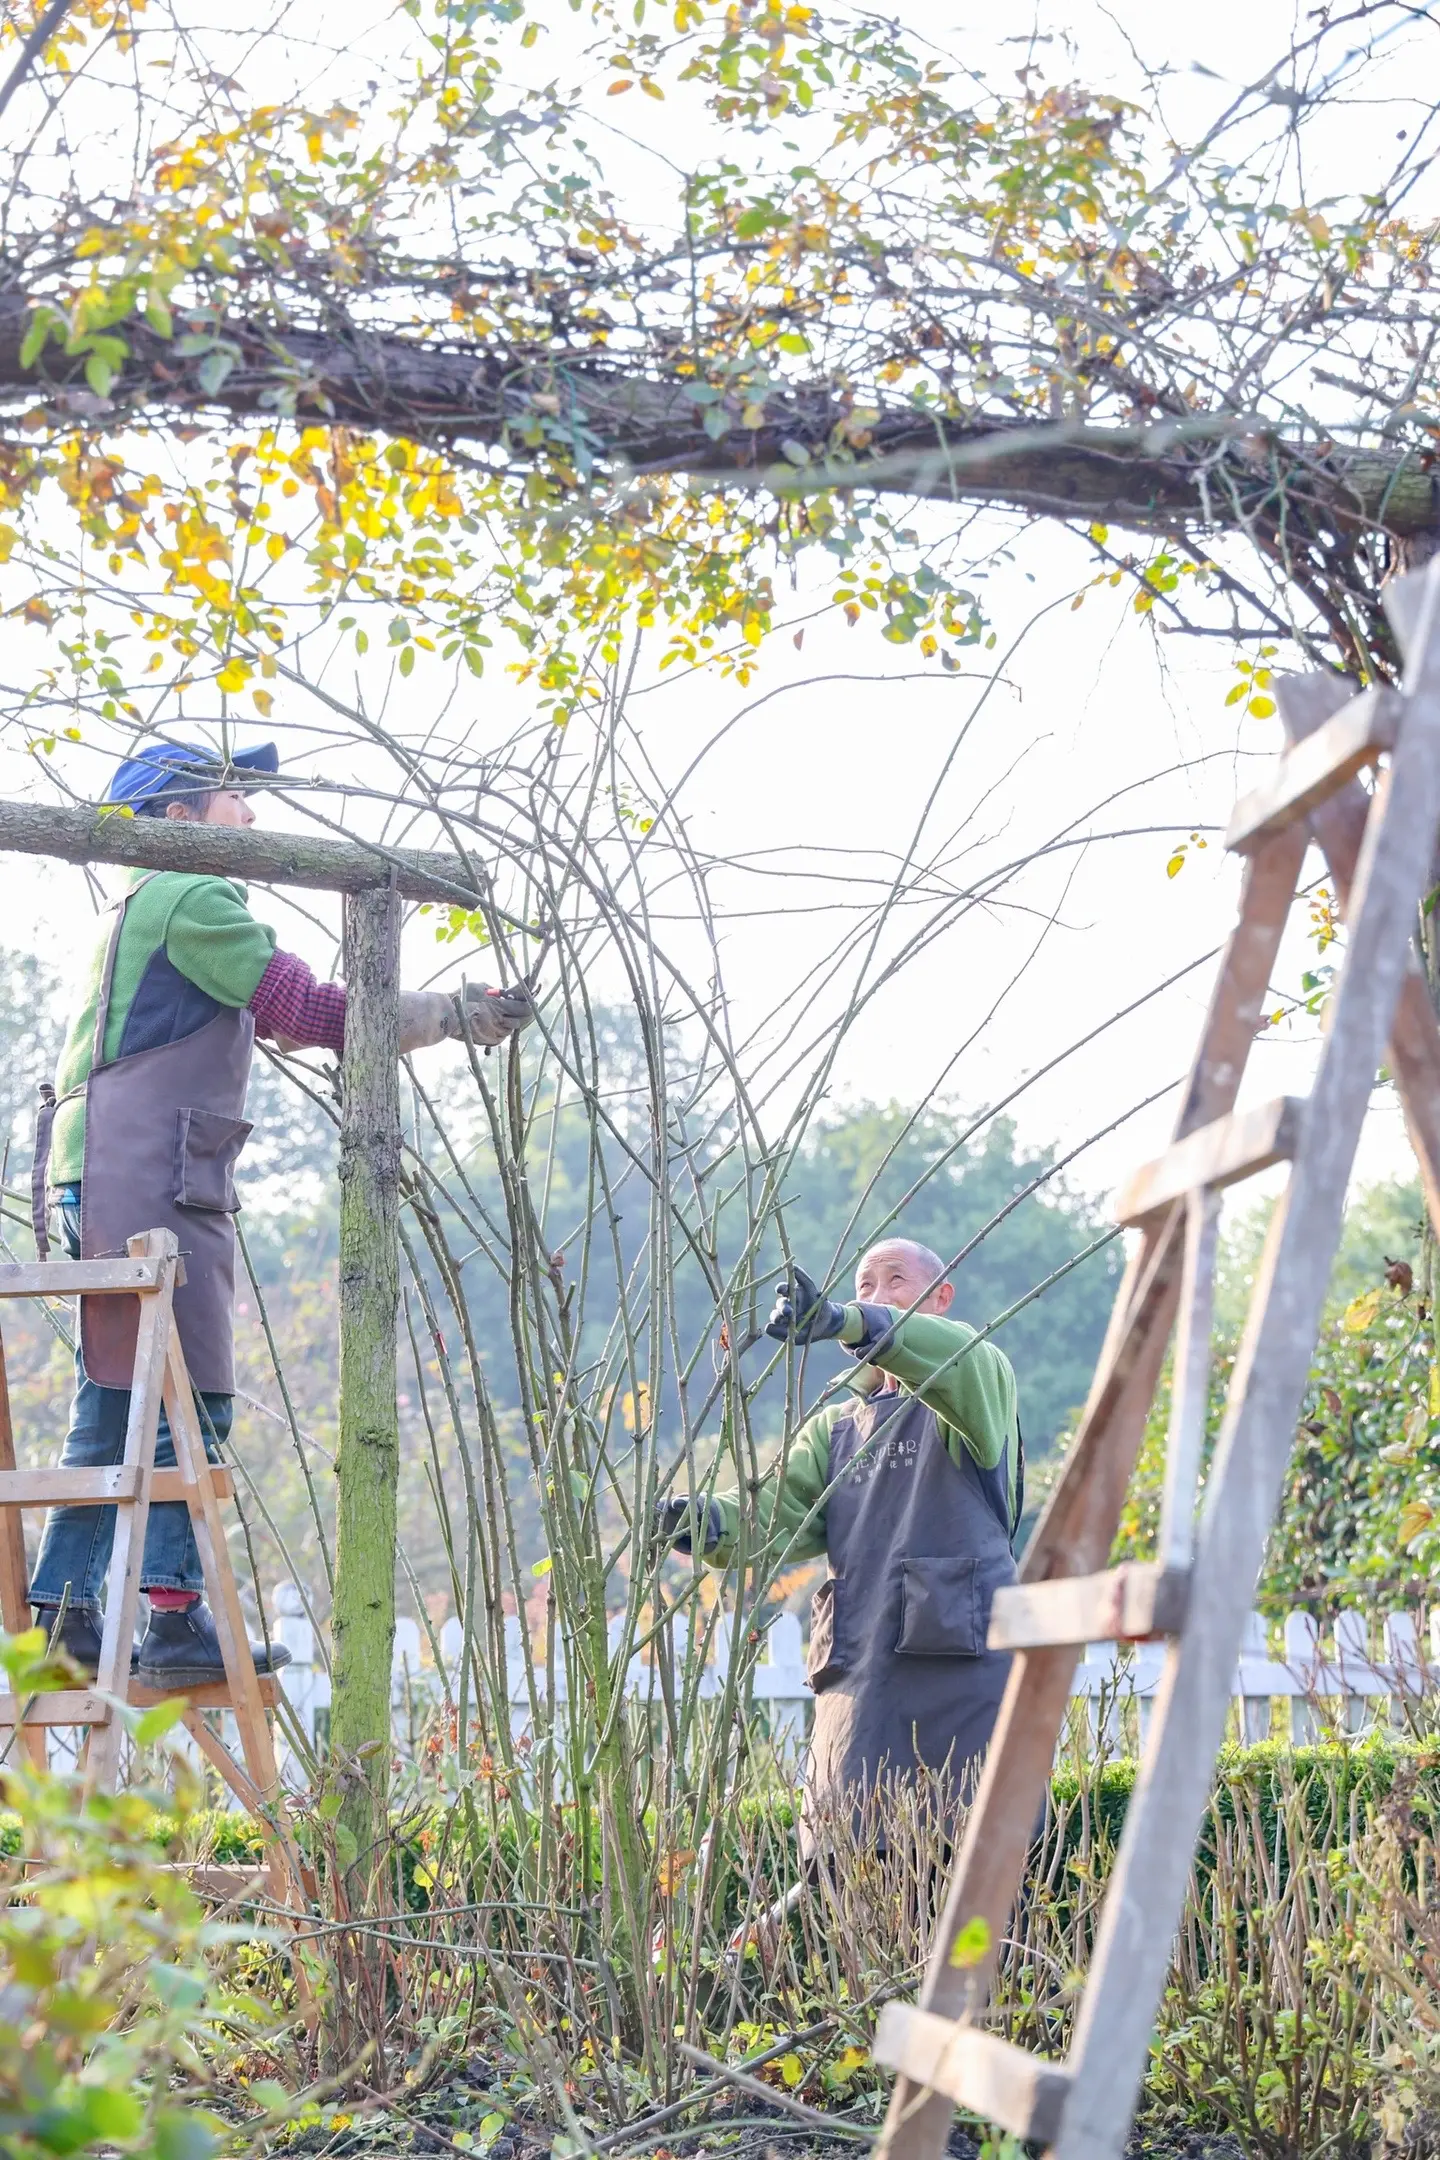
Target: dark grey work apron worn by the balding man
897,1636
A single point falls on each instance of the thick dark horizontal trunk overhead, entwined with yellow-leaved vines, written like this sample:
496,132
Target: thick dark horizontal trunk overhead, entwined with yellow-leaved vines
1204,472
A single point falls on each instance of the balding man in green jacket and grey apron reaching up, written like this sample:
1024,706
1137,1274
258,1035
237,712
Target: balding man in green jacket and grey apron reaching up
914,1491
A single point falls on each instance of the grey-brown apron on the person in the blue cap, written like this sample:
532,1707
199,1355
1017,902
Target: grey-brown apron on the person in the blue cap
163,1131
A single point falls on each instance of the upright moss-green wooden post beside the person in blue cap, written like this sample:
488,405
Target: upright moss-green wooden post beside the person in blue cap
368,1461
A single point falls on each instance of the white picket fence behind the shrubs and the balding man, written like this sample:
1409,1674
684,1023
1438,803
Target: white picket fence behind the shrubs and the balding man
1344,1684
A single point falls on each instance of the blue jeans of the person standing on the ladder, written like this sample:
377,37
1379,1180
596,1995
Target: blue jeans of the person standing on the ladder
77,1541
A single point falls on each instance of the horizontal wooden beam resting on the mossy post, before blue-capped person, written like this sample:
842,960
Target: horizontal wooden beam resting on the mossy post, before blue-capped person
269,859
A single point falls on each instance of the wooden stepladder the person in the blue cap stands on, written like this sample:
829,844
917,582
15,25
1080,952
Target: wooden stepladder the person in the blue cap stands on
131,1487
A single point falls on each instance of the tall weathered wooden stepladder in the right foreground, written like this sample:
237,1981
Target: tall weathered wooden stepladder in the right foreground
1381,850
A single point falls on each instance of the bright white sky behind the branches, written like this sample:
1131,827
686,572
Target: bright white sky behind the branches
1093,705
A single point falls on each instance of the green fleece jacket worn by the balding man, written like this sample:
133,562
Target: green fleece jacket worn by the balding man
975,1401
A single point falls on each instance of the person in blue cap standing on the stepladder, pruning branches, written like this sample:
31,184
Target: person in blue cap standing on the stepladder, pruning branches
146,1135
